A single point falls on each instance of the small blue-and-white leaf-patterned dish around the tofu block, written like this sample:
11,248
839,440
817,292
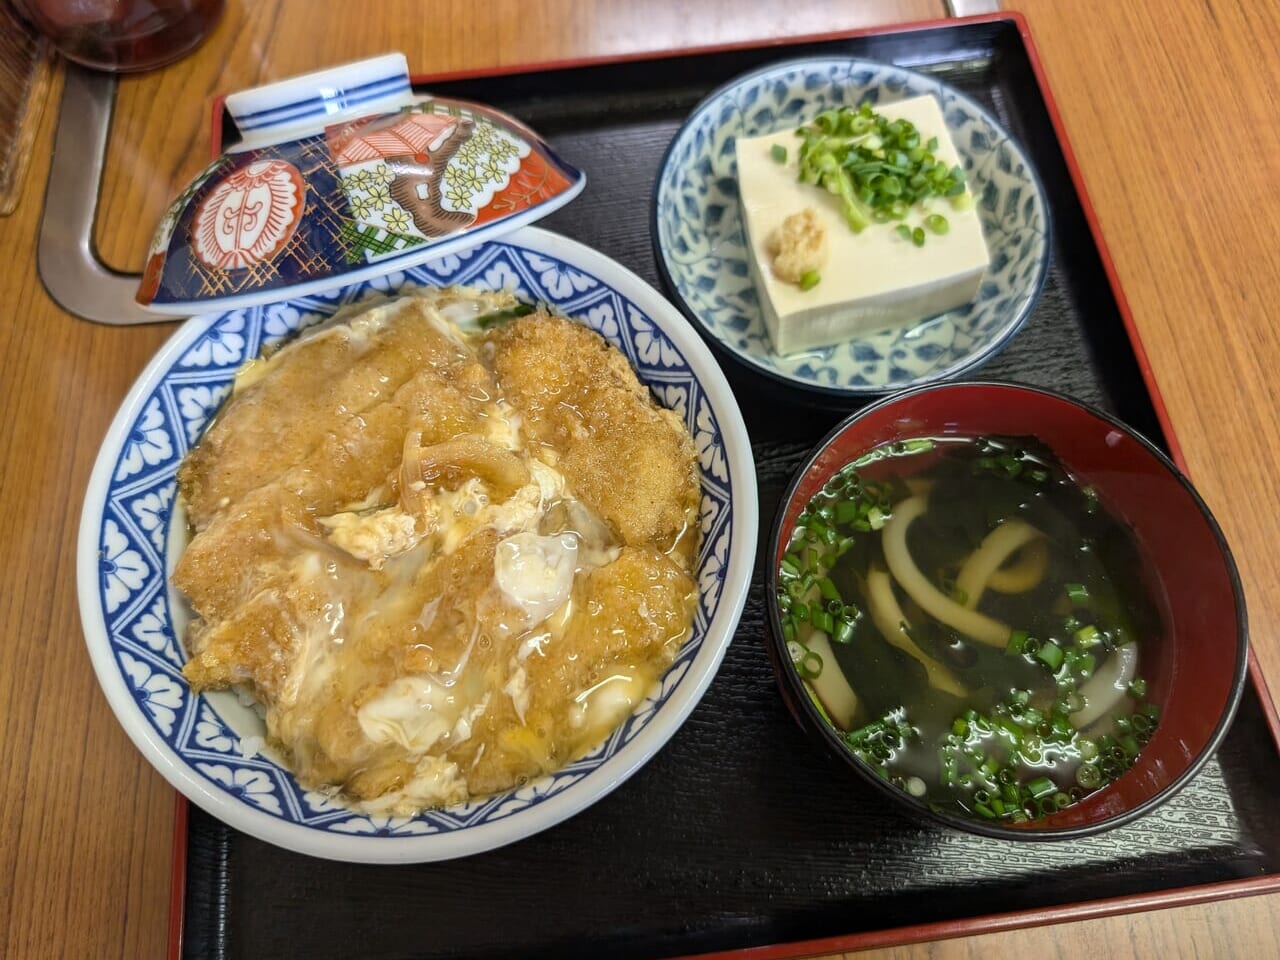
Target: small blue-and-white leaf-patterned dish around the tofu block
701,245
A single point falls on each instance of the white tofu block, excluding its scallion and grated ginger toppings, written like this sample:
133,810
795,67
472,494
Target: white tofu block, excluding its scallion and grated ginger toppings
871,281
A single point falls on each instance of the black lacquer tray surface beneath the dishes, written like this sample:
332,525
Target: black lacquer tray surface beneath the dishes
743,833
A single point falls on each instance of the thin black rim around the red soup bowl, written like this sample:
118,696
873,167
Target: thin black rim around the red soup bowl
807,714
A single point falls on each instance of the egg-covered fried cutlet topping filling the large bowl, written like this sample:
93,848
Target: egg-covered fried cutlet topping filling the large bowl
444,561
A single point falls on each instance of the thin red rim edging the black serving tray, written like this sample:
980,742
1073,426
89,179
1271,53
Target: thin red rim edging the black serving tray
941,930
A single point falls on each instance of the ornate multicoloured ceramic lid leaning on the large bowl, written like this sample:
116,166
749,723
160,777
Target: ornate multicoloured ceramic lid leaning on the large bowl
341,176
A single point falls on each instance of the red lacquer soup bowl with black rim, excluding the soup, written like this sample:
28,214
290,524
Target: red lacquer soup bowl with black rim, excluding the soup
1195,671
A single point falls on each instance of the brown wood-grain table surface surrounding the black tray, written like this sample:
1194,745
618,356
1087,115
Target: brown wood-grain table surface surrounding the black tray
1169,108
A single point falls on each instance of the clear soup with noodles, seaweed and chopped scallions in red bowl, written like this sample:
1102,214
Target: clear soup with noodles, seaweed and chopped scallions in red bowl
973,621
